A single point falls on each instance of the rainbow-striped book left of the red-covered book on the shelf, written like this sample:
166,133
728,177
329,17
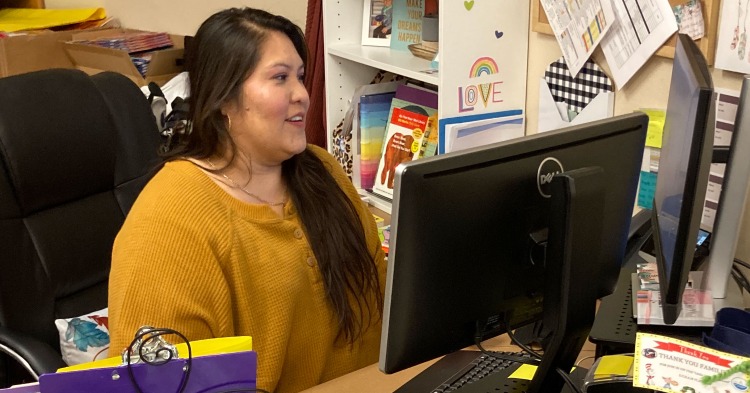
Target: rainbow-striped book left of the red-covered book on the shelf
372,121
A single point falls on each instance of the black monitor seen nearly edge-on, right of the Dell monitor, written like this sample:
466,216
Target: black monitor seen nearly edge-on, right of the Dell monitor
684,166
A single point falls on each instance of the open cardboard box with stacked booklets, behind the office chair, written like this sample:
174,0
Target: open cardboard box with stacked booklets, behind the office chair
165,63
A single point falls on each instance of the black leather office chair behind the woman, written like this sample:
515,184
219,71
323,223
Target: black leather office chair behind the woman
75,151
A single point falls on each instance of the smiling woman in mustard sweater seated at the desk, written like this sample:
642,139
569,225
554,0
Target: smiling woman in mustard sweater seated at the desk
247,230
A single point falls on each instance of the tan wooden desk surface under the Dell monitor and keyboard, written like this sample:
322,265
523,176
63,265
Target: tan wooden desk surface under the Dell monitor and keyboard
371,380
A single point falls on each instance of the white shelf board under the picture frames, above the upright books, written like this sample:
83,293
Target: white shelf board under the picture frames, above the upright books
403,63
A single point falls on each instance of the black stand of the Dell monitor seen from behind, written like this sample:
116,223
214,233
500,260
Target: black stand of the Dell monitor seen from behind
570,298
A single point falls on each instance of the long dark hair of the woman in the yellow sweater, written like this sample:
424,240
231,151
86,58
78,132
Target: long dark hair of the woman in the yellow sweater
224,52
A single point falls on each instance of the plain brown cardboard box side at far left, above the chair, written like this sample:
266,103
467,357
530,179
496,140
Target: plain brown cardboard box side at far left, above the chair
33,52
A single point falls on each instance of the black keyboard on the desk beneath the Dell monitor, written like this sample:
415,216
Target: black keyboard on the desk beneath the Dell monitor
459,369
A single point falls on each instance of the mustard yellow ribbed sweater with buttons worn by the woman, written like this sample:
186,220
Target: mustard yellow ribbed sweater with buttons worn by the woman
192,258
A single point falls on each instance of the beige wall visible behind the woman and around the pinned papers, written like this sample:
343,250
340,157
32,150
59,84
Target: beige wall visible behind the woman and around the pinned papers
647,89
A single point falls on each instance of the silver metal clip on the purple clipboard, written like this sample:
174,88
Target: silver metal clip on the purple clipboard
149,346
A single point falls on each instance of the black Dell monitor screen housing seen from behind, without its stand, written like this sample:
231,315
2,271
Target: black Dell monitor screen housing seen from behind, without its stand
468,231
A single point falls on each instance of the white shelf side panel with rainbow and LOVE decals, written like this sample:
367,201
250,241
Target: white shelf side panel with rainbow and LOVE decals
483,68
